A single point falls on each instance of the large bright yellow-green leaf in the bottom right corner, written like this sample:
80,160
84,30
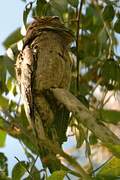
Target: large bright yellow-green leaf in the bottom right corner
112,168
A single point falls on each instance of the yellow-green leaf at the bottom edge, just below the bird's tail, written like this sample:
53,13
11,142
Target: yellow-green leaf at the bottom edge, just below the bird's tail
57,175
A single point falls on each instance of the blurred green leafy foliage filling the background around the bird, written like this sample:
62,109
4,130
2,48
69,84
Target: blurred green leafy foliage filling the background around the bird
96,26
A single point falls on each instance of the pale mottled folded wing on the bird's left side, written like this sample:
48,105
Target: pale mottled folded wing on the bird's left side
24,72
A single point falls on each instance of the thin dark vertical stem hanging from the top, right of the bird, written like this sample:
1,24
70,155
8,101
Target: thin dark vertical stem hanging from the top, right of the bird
78,15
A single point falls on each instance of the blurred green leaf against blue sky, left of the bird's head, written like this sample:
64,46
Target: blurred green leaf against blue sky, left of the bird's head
13,38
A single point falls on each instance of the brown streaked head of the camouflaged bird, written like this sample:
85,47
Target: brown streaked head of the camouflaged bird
48,23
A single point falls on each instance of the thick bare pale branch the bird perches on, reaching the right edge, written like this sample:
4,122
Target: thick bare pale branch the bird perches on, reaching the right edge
84,116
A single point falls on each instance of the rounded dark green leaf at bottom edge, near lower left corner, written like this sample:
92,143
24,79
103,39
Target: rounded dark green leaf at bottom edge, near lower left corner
19,170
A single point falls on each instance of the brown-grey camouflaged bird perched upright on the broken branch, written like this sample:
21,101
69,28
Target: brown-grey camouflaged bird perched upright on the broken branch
45,63
